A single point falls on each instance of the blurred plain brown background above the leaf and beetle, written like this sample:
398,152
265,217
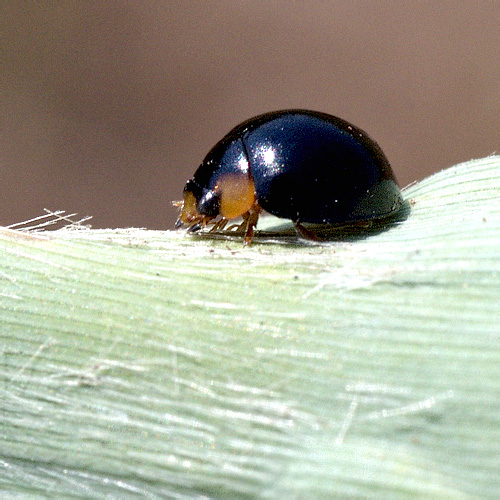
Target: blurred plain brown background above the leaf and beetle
109,106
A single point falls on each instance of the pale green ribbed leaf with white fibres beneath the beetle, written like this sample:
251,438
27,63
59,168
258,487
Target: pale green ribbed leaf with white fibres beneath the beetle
152,364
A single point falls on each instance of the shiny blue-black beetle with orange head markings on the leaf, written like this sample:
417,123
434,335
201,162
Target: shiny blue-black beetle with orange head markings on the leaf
296,164
